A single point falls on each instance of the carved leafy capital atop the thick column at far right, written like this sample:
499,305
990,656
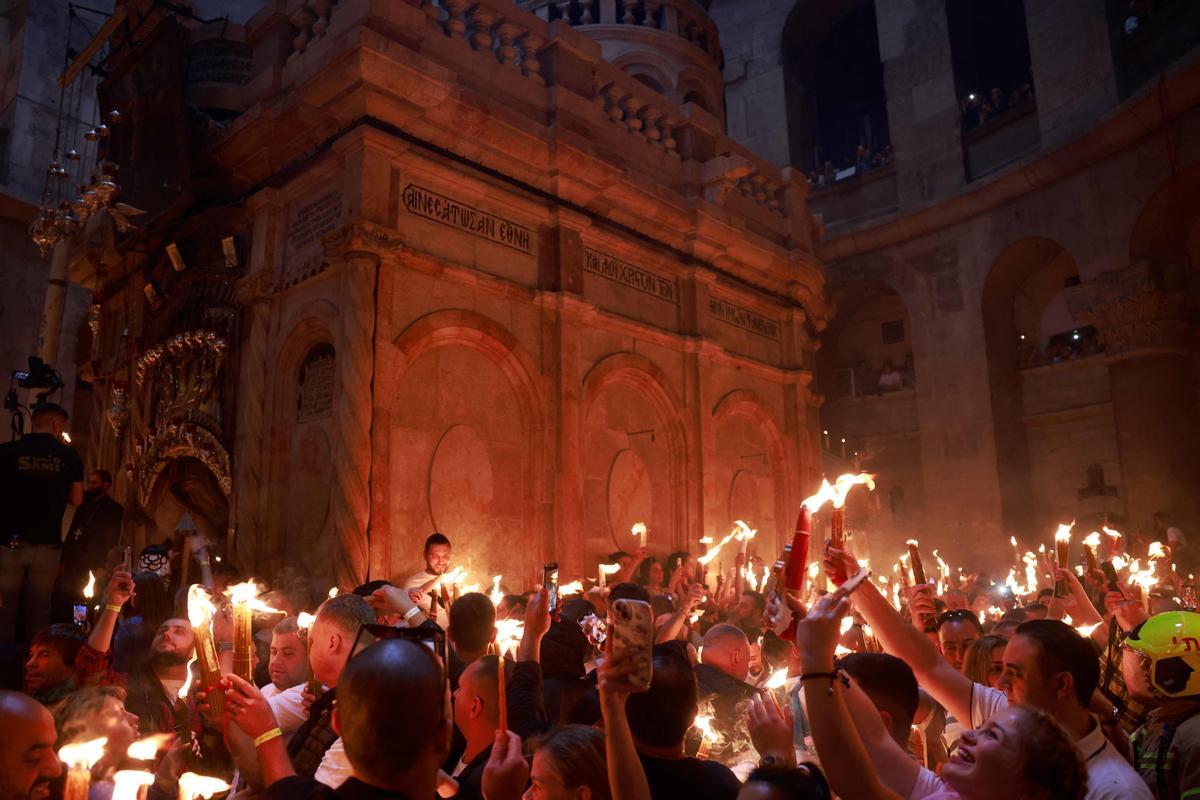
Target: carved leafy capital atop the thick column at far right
1133,312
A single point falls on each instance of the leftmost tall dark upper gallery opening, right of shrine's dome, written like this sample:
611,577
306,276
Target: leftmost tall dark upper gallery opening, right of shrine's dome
833,82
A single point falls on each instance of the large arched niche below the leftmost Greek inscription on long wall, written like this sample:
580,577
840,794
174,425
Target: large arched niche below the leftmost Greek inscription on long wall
461,406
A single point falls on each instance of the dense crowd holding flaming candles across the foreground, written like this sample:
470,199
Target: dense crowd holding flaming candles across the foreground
1078,685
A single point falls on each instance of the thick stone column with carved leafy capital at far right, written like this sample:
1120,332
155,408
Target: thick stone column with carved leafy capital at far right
1143,326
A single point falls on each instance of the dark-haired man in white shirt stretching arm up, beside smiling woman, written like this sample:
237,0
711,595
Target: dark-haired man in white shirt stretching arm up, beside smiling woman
1047,666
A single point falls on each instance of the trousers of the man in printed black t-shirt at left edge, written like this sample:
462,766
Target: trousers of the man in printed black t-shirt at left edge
29,570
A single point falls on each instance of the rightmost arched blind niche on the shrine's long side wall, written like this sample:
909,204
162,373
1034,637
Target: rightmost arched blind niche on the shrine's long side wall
751,407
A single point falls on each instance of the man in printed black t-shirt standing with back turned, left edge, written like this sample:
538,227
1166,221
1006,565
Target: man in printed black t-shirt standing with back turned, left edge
39,477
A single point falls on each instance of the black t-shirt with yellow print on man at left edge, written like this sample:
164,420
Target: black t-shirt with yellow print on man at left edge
37,473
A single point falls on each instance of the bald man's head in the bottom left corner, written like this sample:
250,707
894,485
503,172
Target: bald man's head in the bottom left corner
28,763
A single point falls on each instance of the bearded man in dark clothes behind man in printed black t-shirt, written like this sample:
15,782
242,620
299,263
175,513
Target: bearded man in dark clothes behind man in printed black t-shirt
95,531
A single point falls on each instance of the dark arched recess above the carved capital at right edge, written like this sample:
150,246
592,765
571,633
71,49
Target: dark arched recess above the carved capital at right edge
1167,232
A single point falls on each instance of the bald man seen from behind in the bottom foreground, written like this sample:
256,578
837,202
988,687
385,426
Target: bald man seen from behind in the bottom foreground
392,755
